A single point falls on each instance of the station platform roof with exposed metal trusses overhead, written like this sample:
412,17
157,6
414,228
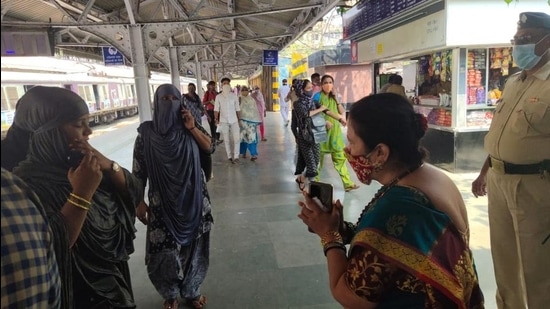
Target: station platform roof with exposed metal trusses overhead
228,36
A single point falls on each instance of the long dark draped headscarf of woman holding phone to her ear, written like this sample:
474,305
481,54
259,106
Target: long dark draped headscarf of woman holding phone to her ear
173,166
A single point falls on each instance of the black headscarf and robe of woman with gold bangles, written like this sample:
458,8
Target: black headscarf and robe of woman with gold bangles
106,238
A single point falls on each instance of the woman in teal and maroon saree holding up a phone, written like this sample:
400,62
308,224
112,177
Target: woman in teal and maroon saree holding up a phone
409,248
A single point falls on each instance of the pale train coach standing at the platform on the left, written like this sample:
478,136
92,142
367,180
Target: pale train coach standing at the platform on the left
110,93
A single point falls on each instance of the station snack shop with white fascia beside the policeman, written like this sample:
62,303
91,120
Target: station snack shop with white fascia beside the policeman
453,70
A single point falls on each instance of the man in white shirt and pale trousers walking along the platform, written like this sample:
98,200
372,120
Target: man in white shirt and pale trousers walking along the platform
227,115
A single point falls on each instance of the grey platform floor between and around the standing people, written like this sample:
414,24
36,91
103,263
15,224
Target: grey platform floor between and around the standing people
262,255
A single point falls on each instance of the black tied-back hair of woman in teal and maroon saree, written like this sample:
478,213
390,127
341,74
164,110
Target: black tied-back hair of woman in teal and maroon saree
390,119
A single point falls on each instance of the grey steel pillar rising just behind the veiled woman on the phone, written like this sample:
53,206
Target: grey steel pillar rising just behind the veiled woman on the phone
141,73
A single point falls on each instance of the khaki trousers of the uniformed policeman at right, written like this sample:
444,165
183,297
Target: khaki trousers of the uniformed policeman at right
519,219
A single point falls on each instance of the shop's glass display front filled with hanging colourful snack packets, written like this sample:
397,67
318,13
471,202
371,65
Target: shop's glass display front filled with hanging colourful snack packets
460,115
